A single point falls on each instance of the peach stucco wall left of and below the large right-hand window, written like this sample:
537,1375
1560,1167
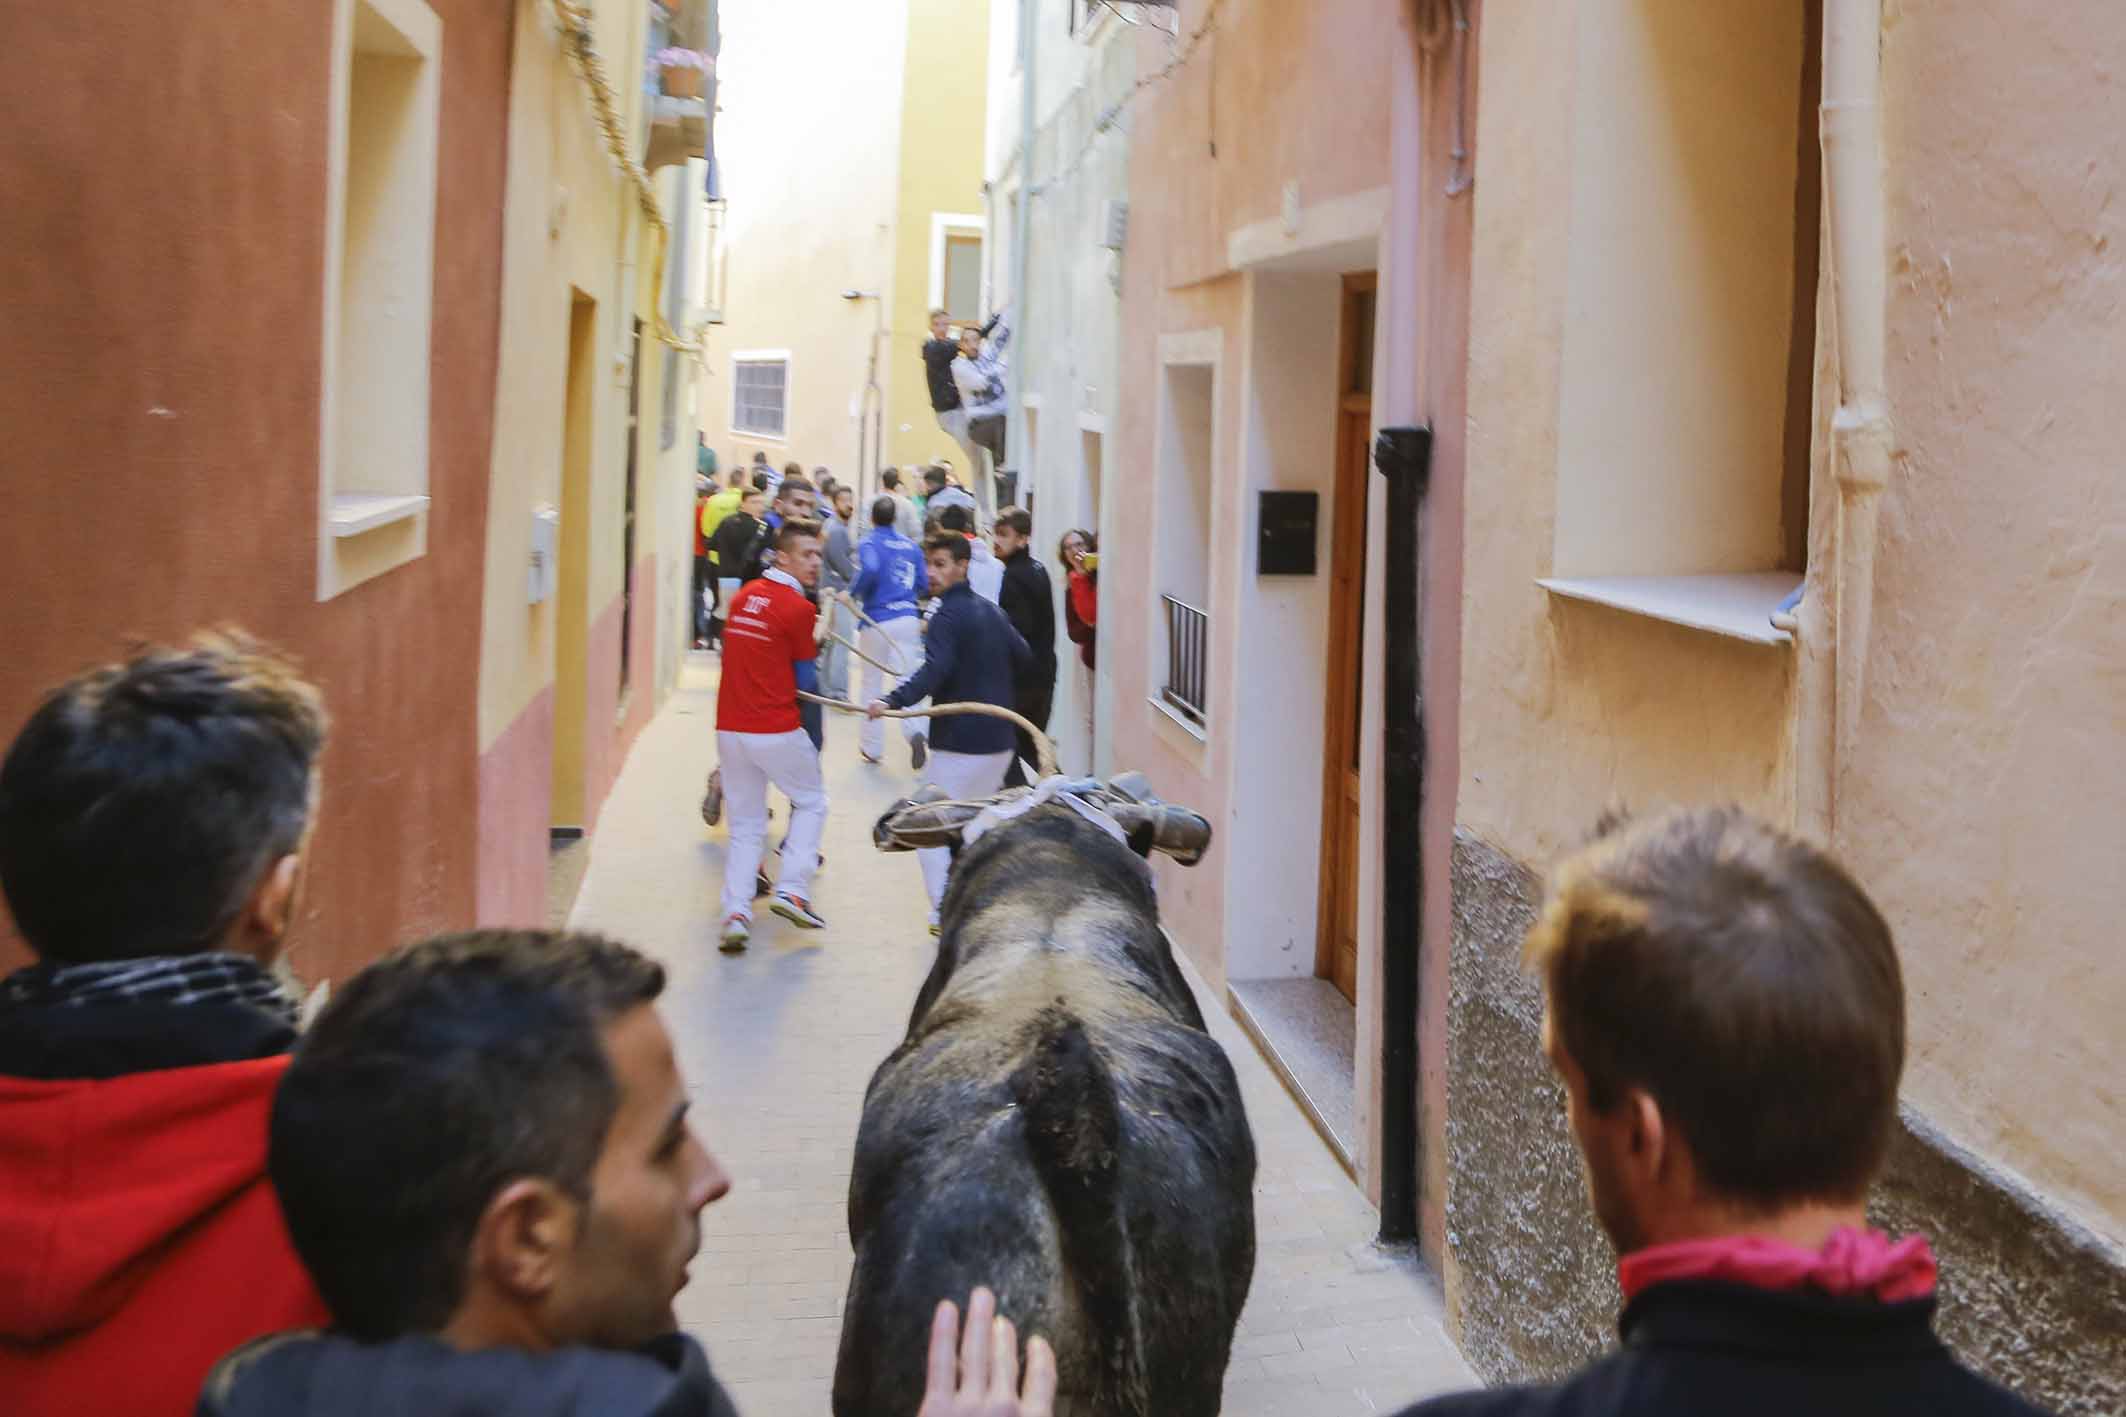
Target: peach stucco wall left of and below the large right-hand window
1570,706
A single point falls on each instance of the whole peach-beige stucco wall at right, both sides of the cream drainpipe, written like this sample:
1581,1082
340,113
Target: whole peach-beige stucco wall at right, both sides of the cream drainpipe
1987,802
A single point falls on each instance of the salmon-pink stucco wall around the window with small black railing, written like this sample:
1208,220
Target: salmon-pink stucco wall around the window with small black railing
1211,154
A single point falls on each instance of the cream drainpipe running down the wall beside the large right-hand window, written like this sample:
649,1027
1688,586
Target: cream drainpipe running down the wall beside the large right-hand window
1861,432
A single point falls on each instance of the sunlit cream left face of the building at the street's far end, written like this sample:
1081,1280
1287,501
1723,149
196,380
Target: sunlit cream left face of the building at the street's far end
809,143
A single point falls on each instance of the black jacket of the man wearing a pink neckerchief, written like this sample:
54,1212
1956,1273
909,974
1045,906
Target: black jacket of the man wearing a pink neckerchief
1700,1348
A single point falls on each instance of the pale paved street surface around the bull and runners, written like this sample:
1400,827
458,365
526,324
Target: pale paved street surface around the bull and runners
781,1042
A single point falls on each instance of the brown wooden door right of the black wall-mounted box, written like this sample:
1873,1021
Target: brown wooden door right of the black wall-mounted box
1336,953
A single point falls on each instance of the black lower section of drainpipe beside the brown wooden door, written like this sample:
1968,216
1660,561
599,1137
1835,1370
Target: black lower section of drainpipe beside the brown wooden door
1406,460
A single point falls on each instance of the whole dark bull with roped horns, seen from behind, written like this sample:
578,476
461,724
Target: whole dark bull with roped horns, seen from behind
1058,1127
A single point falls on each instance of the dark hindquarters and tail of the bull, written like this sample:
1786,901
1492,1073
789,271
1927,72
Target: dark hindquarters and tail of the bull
1098,1176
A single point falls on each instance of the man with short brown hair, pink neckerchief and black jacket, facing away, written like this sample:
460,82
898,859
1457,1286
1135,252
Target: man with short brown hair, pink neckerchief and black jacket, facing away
1732,1133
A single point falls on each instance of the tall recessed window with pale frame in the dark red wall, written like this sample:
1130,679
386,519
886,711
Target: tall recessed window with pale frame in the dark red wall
379,286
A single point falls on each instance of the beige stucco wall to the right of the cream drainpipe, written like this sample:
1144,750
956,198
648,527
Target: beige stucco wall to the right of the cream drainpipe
1987,806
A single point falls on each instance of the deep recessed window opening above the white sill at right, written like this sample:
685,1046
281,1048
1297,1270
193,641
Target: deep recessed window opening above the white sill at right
1691,296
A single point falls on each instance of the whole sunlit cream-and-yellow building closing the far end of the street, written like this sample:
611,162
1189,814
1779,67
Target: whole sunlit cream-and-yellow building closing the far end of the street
845,224
